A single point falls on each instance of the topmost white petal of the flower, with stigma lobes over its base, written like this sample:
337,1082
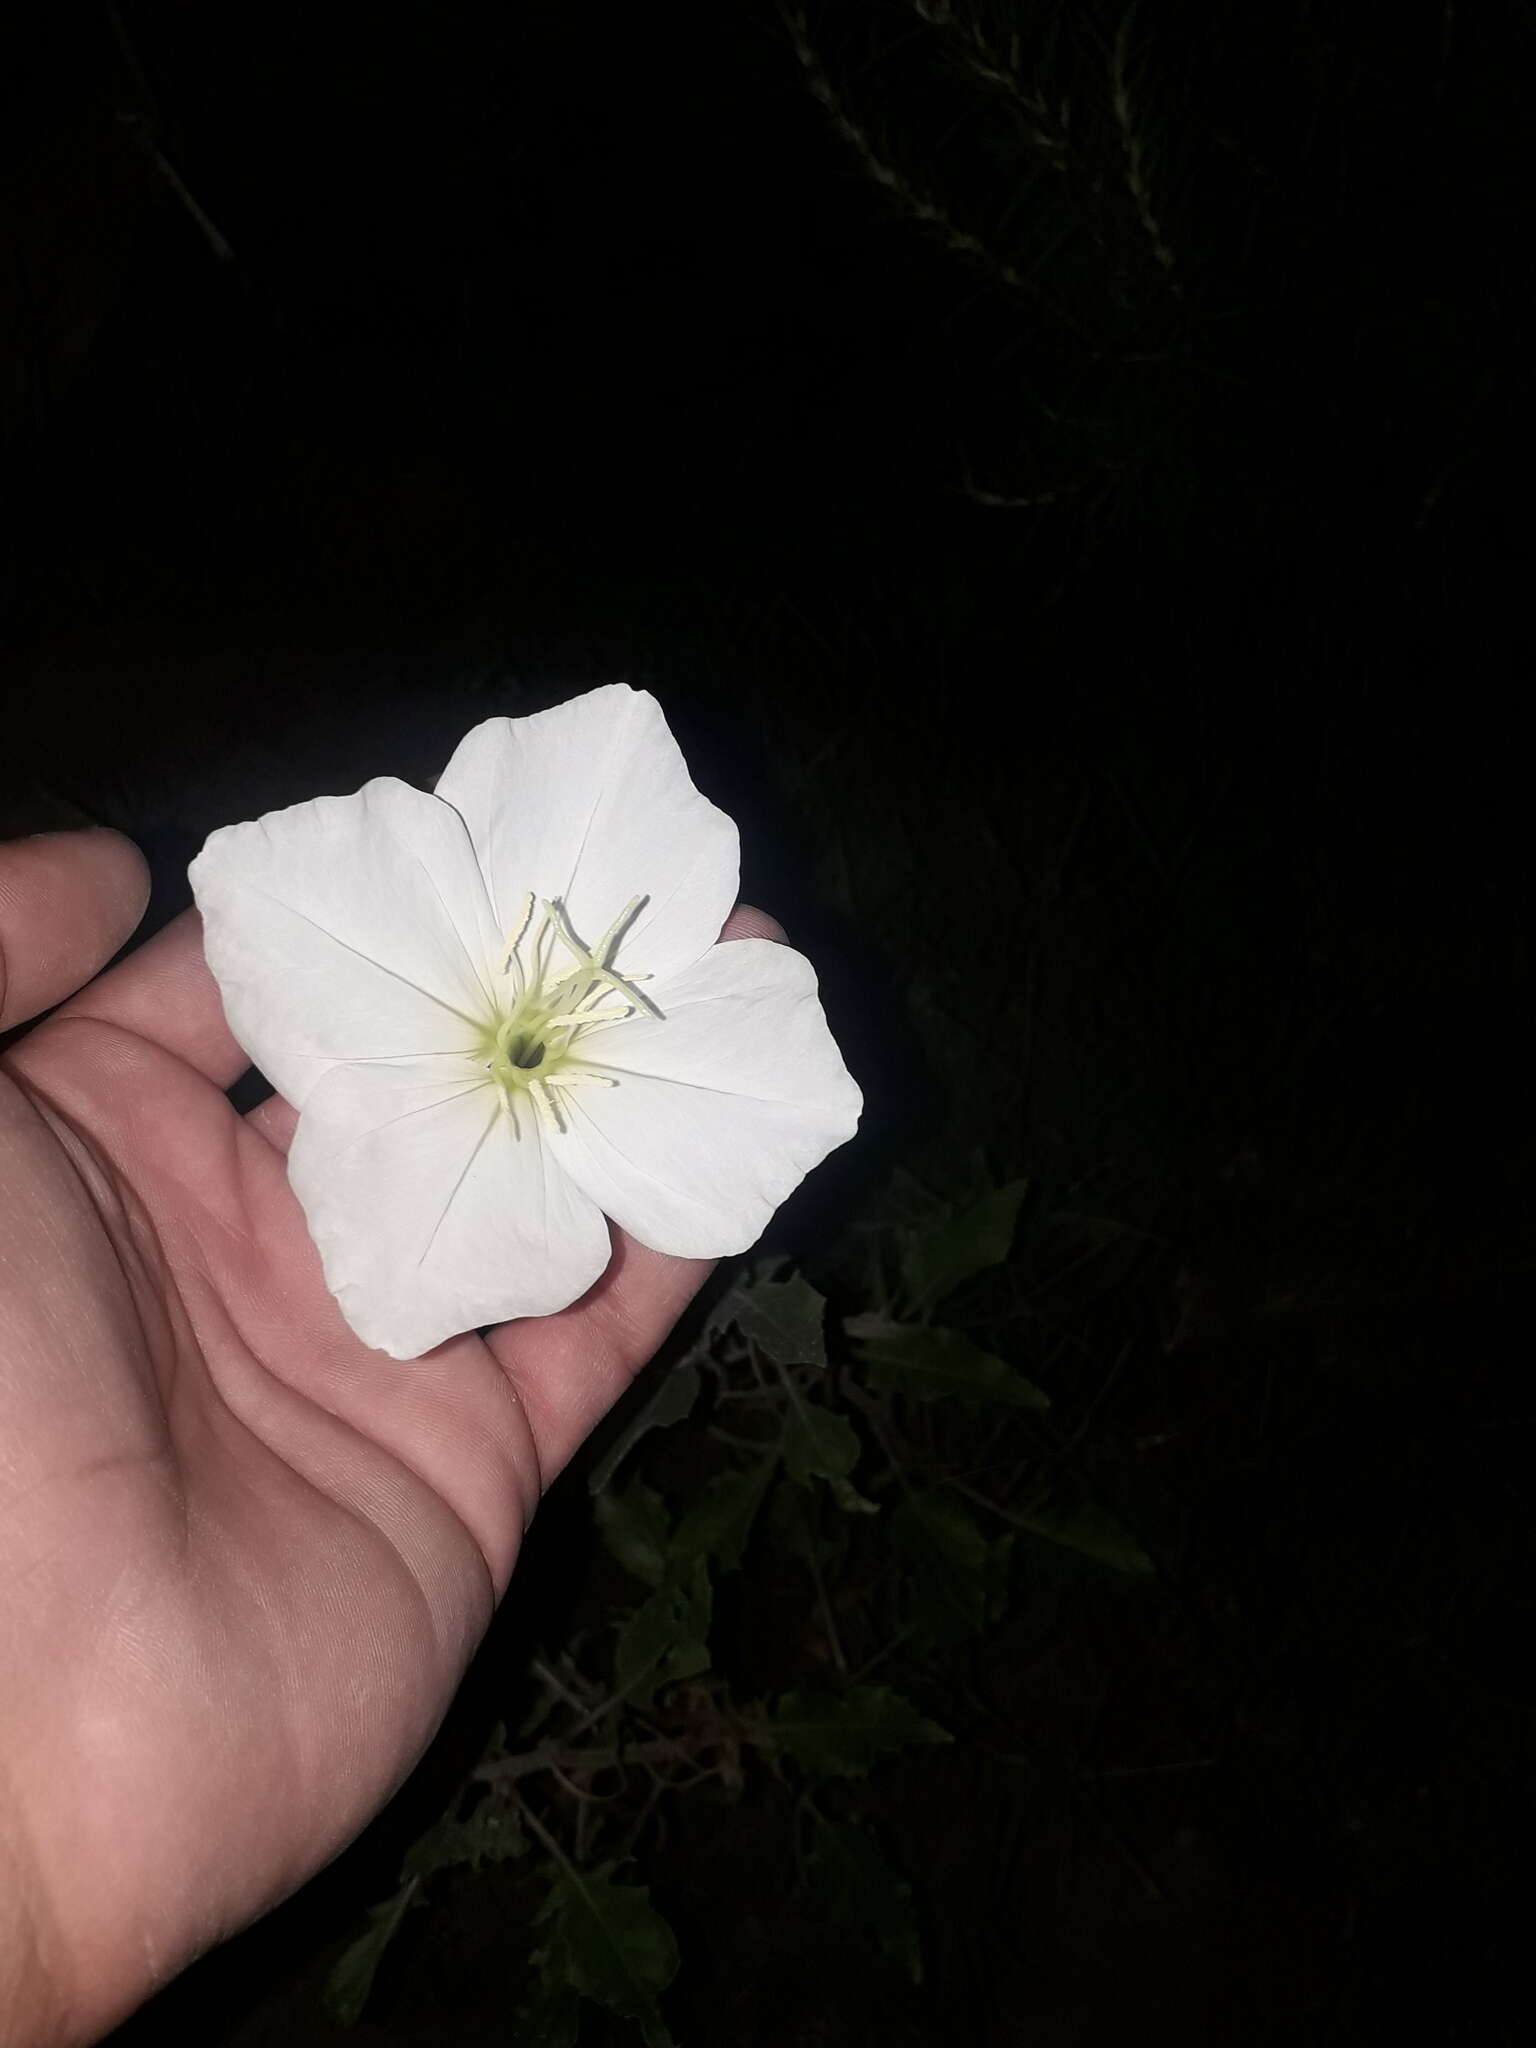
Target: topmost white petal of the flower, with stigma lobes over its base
593,804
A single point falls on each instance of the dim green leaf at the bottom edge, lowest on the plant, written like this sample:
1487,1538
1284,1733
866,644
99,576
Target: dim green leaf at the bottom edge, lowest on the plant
609,1945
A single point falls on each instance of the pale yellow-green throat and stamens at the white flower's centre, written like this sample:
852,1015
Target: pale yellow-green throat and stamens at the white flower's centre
531,1046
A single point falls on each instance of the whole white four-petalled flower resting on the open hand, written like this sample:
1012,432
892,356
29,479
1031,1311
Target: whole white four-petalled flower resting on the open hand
503,1017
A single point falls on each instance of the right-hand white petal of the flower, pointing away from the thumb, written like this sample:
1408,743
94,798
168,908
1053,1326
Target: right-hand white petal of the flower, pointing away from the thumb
722,1109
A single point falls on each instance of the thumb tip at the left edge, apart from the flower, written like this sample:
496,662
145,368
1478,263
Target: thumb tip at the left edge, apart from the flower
69,900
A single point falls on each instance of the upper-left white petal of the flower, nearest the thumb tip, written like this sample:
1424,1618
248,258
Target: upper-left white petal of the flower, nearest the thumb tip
347,929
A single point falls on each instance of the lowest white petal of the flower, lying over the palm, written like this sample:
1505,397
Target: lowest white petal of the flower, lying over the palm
431,1215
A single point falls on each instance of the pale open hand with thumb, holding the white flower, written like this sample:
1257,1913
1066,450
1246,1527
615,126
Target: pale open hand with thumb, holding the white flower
243,1558
